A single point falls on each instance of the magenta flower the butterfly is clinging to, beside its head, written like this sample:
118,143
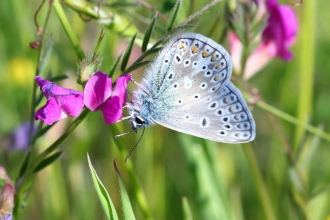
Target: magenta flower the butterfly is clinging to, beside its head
98,95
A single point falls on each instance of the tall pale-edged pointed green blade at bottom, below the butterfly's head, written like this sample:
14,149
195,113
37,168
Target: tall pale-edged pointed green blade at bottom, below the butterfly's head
102,193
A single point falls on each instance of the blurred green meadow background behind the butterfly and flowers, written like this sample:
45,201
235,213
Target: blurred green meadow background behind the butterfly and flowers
220,181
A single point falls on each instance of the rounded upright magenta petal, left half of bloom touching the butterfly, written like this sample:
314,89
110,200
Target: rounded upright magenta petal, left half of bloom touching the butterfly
97,91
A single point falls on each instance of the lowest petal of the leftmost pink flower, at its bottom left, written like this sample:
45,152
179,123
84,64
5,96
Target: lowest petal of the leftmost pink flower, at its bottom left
49,113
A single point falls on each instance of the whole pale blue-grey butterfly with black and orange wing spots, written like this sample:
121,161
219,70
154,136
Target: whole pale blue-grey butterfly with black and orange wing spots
187,88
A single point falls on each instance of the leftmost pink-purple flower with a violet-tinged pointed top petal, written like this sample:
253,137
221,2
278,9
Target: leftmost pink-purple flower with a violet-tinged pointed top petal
61,102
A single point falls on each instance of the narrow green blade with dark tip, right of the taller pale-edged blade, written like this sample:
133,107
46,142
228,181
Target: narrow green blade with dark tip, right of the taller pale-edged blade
126,205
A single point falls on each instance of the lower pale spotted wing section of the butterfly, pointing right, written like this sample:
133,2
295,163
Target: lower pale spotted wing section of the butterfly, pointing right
222,117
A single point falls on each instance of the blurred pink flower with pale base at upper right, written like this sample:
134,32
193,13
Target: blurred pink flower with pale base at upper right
278,35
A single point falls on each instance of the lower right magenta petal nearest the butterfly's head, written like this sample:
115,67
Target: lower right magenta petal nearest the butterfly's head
112,110
